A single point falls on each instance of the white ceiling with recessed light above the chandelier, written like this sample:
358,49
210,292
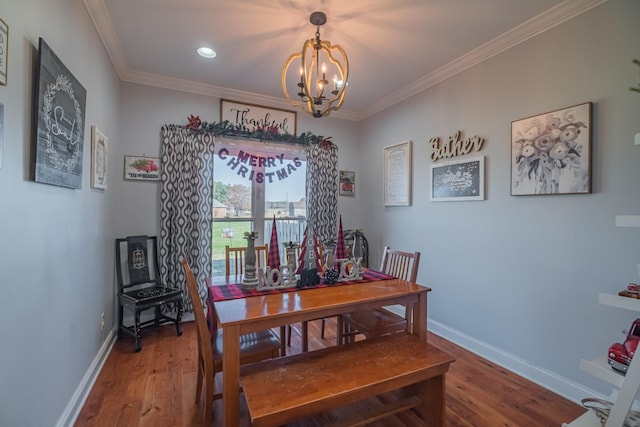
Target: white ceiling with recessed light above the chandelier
396,48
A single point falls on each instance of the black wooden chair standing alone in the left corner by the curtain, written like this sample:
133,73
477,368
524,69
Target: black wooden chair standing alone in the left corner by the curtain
140,288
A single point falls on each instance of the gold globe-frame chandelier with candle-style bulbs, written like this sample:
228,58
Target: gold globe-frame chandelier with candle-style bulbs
318,59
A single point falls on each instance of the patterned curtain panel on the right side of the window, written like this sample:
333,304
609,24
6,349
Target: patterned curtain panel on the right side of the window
322,190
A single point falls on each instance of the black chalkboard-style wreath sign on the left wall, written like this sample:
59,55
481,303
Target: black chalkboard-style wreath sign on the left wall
58,132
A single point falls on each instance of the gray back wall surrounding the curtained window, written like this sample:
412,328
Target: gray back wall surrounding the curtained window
155,107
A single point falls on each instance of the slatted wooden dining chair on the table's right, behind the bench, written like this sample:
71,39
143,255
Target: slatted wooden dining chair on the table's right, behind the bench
382,321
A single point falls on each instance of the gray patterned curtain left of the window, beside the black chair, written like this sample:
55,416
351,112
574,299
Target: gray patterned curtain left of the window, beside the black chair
186,206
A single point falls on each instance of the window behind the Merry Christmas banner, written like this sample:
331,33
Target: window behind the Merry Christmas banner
254,182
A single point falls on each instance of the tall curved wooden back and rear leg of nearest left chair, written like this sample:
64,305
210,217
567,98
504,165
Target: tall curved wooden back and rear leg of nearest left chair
205,351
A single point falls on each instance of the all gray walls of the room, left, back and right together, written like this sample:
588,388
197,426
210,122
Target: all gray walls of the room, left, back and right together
513,278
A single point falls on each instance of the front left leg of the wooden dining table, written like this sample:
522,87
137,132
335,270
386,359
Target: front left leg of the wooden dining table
231,376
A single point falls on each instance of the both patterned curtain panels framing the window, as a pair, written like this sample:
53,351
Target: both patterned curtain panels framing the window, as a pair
186,201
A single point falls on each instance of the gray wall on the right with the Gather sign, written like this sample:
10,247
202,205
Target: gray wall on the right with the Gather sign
517,278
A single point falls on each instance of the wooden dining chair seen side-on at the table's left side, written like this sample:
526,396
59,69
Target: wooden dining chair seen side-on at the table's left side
254,347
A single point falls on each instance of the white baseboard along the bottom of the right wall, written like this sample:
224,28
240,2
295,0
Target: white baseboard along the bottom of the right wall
547,379
